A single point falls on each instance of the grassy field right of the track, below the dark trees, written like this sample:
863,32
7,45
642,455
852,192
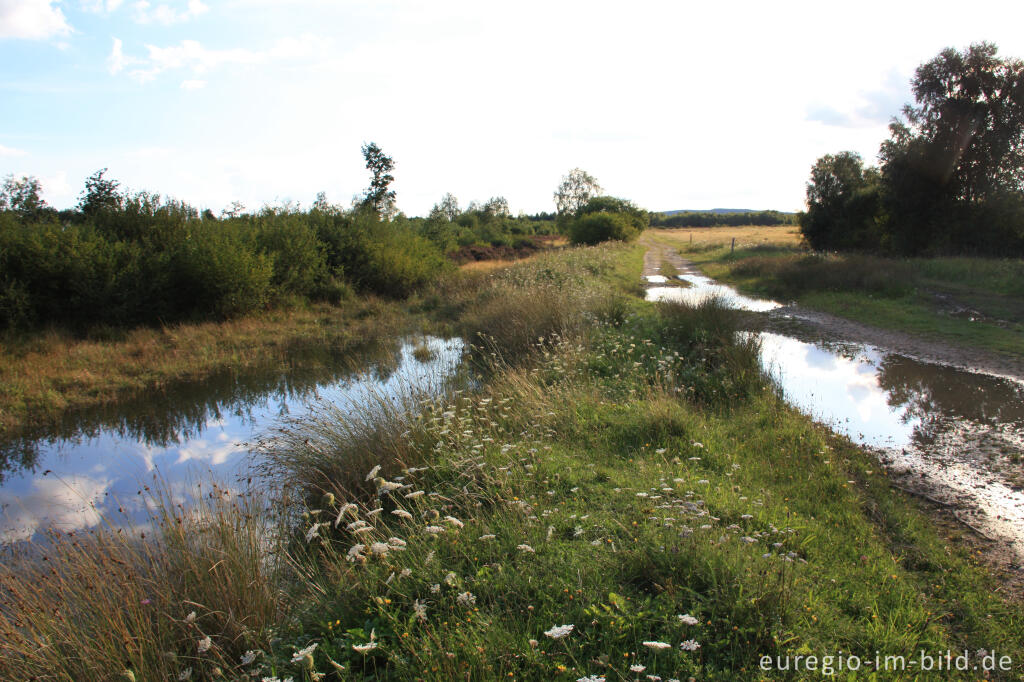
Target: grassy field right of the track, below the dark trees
971,303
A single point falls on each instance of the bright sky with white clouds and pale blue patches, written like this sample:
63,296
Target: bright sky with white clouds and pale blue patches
671,105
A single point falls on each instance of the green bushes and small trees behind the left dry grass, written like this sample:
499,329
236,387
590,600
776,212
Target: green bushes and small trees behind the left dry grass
124,259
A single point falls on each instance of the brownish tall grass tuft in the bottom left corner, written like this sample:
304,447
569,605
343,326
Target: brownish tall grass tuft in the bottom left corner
194,590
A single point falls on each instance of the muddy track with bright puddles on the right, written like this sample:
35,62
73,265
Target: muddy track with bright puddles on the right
953,435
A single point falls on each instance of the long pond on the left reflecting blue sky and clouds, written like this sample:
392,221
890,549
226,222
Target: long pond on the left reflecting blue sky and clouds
96,464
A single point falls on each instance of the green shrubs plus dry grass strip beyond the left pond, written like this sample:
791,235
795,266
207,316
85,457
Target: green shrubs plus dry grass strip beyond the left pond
131,290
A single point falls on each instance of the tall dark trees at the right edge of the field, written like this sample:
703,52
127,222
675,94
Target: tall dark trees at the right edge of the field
951,178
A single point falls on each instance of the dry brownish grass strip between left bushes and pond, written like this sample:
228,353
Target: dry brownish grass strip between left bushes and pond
55,371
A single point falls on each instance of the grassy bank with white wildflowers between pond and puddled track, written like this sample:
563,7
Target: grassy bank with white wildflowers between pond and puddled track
623,496
